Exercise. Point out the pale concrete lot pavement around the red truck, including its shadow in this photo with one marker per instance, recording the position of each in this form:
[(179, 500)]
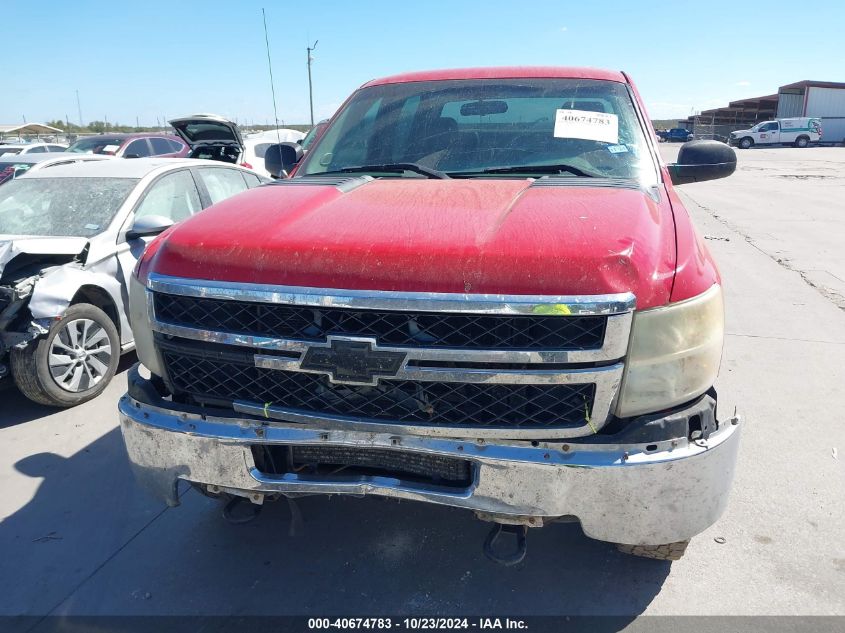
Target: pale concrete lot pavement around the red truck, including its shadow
[(78, 538)]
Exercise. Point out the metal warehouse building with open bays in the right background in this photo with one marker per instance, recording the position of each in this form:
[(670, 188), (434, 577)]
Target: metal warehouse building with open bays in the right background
[(824, 99)]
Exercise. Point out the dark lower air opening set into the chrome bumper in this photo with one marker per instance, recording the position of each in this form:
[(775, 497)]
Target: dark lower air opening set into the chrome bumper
[(337, 461)]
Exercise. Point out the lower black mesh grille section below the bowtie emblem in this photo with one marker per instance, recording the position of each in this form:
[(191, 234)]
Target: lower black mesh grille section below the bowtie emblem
[(219, 379)]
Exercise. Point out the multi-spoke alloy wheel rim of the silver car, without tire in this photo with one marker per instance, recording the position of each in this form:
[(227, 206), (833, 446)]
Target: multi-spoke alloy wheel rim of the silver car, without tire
[(80, 355)]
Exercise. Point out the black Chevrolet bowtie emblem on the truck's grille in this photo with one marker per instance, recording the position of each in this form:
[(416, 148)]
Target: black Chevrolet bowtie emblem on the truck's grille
[(352, 362)]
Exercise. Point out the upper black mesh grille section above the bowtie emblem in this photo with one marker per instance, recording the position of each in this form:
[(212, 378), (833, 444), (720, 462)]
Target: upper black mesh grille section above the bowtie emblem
[(389, 328)]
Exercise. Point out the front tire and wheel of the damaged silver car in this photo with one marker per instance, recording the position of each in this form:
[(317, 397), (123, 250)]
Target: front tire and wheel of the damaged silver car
[(84, 349)]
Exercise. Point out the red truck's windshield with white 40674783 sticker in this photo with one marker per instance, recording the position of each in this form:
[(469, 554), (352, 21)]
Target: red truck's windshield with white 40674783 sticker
[(464, 127)]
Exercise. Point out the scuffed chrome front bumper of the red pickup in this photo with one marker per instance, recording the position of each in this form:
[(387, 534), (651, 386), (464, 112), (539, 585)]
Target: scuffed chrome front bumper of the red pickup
[(647, 494)]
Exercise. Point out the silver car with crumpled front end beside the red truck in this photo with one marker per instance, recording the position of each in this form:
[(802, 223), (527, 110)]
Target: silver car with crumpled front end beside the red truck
[(69, 239)]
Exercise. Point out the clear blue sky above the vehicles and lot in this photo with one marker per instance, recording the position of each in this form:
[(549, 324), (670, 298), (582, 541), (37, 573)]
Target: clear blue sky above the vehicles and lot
[(156, 59)]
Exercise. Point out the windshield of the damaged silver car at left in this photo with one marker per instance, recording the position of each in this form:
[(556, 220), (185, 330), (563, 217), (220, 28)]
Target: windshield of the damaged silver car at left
[(67, 207)]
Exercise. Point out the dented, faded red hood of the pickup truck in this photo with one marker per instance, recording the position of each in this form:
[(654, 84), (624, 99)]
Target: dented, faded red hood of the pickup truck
[(561, 236)]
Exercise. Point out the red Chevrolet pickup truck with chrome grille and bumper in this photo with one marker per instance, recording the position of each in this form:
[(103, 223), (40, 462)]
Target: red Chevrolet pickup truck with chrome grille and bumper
[(478, 289)]
